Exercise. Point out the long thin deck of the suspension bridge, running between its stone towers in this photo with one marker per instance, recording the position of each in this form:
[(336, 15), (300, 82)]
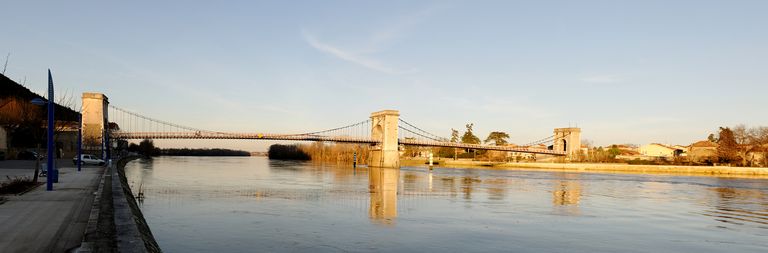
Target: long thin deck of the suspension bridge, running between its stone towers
[(304, 137)]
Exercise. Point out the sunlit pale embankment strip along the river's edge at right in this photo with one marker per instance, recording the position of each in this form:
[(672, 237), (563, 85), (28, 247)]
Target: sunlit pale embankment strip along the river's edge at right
[(719, 171)]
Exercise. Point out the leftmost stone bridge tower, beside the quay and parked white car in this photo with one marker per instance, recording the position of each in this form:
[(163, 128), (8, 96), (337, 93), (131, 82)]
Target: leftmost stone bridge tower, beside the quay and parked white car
[(95, 123)]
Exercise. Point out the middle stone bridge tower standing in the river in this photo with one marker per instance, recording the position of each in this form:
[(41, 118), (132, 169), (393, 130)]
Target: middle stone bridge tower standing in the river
[(384, 126)]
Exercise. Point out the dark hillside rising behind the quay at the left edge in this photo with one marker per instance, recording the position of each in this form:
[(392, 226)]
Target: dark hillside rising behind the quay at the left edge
[(11, 90)]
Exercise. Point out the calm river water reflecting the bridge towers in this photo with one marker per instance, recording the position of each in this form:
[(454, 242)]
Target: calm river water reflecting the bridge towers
[(247, 204)]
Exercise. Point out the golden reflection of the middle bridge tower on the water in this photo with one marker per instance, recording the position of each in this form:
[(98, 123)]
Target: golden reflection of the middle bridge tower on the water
[(383, 189)]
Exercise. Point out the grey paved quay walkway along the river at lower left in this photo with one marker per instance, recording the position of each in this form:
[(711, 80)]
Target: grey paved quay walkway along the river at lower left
[(41, 221)]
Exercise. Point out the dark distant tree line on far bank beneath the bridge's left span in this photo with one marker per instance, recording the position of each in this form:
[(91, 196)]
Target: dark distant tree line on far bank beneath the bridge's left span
[(147, 148)]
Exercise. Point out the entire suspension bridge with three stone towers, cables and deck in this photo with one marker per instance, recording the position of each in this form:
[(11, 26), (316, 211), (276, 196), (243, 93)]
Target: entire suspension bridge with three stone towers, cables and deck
[(385, 131)]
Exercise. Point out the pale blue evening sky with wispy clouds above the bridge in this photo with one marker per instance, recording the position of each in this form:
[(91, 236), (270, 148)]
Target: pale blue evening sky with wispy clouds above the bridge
[(624, 71)]
